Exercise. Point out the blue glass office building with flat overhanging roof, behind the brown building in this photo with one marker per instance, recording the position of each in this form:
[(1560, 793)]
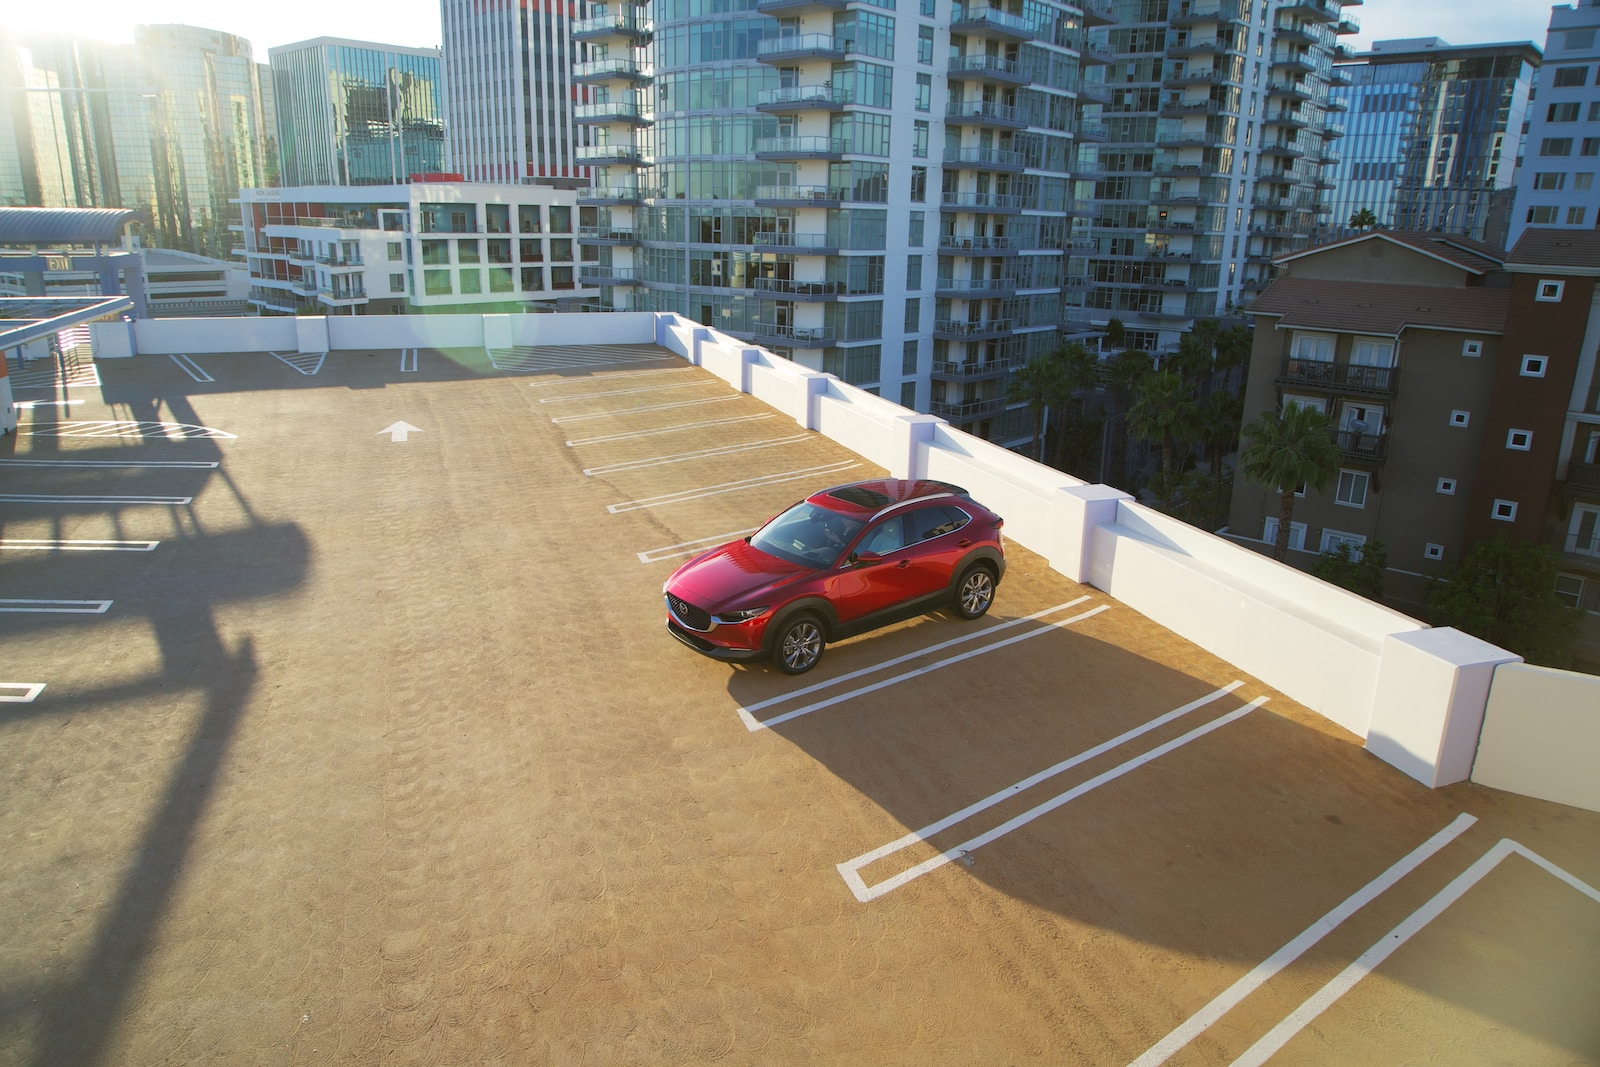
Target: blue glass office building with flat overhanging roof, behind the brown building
[(1433, 135)]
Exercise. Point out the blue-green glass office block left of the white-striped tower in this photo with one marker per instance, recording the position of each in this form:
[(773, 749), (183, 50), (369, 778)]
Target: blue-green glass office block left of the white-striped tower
[(358, 114)]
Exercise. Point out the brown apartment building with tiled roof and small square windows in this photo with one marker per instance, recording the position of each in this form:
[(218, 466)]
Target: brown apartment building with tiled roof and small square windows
[(1465, 398)]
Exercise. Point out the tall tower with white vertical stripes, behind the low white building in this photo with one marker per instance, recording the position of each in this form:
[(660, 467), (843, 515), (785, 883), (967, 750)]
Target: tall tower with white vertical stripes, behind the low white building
[(510, 92)]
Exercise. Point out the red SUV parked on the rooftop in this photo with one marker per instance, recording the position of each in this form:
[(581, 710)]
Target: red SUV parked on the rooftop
[(838, 564)]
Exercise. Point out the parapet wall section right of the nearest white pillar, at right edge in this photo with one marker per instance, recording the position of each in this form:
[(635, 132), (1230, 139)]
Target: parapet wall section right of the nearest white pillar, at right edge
[(1542, 735)]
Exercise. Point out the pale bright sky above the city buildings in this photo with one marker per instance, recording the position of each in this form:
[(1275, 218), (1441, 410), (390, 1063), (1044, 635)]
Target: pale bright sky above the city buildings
[(417, 22)]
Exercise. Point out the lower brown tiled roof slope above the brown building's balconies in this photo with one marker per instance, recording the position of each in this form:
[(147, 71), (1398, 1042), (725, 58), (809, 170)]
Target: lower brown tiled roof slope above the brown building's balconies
[(1382, 310)]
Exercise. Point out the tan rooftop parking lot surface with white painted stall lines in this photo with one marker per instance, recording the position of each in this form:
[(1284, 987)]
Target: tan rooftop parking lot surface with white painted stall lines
[(342, 725)]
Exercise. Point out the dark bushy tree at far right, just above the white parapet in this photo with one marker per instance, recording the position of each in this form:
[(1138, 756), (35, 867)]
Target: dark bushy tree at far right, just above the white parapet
[(1505, 593)]
